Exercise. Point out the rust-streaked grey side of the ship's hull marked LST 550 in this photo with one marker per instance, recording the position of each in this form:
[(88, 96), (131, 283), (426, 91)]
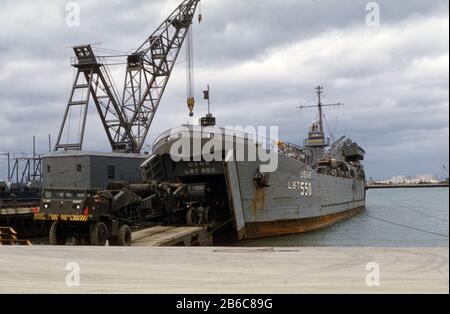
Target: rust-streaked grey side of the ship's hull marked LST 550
[(284, 207)]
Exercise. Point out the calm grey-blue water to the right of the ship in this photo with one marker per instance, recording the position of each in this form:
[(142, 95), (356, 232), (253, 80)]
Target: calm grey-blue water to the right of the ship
[(424, 209)]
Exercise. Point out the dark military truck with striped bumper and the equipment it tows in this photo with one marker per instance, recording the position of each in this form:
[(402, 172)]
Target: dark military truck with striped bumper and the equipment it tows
[(93, 217)]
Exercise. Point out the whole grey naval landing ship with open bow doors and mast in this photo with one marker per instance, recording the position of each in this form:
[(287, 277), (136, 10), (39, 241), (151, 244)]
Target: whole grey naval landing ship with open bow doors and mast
[(313, 185)]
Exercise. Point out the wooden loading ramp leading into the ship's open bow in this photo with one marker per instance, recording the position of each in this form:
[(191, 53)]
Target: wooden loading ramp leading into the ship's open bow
[(172, 236)]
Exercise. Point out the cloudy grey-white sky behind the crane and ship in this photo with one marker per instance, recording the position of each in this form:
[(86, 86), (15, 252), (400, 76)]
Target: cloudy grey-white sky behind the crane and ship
[(262, 59)]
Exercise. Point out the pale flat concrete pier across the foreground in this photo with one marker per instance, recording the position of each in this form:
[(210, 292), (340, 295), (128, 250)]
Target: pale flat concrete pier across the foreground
[(42, 269)]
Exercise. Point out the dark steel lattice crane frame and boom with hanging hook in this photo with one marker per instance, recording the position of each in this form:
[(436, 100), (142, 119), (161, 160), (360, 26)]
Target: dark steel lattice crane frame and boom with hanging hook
[(127, 120)]
